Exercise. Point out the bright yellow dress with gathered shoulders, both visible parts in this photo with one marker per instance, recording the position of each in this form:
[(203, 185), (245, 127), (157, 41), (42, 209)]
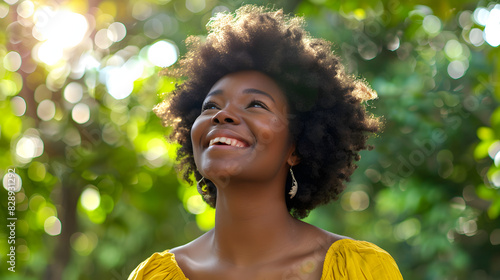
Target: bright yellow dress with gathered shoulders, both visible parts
[(345, 259)]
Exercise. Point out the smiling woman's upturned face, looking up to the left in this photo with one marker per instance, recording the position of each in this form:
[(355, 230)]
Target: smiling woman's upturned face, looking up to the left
[(242, 131)]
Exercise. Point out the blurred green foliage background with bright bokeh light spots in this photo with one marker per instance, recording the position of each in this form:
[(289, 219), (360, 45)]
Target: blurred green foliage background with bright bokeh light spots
[(97, 188)]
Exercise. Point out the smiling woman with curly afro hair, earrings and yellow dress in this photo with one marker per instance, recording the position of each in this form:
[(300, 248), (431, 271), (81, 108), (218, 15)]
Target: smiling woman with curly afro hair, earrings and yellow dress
[(270, 125)]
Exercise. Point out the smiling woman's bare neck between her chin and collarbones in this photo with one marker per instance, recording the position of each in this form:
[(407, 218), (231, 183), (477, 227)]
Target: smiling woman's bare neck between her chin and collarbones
[(251, 226)]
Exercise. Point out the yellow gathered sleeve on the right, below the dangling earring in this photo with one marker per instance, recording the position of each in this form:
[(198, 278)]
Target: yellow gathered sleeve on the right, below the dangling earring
[(351, 259)]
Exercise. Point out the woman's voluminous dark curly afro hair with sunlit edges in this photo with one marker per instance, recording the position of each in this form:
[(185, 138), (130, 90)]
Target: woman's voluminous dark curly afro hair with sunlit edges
[(328, 121)]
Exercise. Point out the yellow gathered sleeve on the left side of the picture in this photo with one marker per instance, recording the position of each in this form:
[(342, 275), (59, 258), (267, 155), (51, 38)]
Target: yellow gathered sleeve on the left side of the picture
[(160, 266)]
